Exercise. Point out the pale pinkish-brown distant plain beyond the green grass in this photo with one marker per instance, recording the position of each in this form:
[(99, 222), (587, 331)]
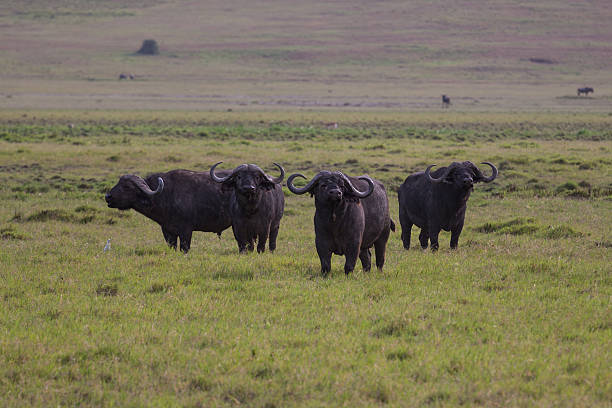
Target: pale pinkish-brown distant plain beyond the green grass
[(347, 54)]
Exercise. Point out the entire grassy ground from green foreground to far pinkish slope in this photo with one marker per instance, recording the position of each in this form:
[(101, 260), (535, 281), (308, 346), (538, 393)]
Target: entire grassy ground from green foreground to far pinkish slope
[(520, 315)]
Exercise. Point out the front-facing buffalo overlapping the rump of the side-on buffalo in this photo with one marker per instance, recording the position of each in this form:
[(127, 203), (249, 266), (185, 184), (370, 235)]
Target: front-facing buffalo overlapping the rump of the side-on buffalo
[(256, 205)]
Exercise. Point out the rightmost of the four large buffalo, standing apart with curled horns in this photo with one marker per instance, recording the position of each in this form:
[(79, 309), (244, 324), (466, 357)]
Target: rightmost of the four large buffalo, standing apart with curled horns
[(438, 201)]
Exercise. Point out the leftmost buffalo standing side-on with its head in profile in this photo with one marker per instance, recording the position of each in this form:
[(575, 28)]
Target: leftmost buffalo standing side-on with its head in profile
[(180, 201)]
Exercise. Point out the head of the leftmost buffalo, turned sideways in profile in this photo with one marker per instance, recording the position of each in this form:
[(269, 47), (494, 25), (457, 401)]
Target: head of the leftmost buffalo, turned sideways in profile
[(132, 192)]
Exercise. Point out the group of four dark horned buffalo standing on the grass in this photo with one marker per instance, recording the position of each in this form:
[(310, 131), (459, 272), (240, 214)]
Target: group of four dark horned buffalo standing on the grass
[(351, 213)]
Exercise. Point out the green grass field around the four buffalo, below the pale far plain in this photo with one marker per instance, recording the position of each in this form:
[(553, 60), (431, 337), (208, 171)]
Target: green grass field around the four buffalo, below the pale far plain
[(518, 316)]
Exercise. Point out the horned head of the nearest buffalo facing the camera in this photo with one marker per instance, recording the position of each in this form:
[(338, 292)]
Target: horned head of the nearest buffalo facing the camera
[(331, 187)]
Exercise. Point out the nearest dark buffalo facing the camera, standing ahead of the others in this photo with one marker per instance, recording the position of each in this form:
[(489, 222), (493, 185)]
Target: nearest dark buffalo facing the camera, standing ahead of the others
[(351, 216)]
